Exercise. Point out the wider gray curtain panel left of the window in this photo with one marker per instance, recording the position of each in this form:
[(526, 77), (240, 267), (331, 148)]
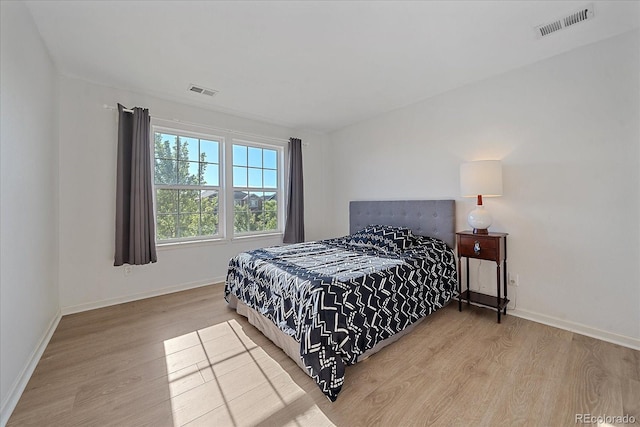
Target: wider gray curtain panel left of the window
[(135, 223)]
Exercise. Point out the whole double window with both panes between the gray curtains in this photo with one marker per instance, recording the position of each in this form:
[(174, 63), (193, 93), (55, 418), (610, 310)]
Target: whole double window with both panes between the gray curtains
[(206, 189)]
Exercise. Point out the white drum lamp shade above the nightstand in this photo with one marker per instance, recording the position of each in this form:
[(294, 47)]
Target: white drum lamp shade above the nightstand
[(483, 177)]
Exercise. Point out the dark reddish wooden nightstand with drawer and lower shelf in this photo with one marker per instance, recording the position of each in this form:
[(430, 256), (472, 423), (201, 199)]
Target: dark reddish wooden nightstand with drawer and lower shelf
[(491, 247)]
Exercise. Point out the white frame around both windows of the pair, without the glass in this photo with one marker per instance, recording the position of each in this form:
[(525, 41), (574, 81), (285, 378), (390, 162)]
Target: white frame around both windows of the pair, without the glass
[(225, 189)]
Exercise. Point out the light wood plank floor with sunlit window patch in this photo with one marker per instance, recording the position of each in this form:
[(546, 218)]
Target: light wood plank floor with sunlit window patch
[(185, 359)]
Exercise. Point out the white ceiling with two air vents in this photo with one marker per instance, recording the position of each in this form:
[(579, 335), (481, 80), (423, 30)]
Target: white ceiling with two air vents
[(309, 65)]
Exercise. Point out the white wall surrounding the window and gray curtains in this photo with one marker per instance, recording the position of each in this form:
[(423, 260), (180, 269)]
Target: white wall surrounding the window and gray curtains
[(88, 146)]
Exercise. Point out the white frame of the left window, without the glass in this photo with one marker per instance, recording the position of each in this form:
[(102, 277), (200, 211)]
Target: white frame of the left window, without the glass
[(181, 131)]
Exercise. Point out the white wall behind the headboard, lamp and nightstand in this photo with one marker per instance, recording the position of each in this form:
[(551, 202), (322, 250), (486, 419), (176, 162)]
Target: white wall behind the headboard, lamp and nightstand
[(567, 130)]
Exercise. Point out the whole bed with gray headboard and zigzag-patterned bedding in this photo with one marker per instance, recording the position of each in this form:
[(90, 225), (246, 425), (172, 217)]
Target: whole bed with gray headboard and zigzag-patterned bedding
[(334, 302)]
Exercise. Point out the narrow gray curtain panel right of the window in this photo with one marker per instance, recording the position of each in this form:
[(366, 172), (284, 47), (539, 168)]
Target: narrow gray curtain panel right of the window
[(294, 228)]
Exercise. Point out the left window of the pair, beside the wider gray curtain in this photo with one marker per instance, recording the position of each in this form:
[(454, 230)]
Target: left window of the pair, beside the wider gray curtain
[(187, 185)]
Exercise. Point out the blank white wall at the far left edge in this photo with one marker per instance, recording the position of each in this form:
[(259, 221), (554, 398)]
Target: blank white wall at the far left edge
[(29, 307)]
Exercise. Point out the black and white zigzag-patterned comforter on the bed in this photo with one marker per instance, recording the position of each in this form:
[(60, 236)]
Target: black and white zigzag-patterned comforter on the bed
[(339, 297)]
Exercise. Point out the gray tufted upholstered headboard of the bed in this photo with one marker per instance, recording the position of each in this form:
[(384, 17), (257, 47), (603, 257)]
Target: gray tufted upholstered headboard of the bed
[(433, 218)]
